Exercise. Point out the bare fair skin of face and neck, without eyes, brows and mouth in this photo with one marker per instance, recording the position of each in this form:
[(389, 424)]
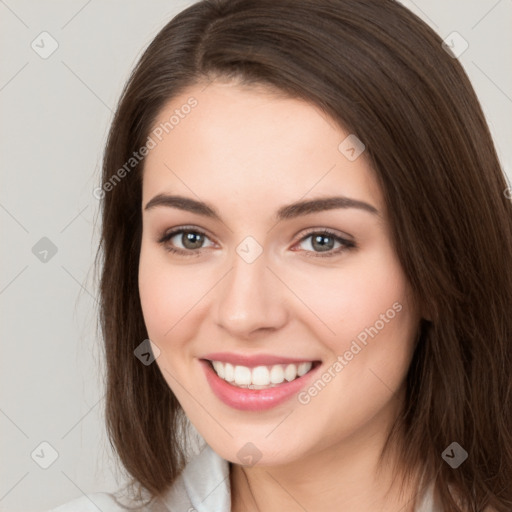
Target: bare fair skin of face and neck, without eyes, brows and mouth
[(247, 152)]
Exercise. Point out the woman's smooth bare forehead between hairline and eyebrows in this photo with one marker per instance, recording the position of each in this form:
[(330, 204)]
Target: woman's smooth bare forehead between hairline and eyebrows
[(251, 143)]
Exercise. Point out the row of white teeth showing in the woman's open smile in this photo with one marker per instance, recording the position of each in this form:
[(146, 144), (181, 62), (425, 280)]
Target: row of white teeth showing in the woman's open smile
[(261, 377)]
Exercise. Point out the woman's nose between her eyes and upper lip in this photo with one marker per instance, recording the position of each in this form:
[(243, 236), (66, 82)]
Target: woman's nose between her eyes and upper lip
[(250, 299)]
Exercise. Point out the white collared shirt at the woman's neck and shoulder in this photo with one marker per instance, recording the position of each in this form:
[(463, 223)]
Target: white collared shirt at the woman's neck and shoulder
[(203, 486)]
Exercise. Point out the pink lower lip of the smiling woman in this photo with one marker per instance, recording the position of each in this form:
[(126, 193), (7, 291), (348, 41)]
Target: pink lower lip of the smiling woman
[(253, 399)]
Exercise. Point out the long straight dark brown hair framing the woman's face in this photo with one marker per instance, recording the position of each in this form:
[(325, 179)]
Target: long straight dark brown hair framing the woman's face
[(381, 73)]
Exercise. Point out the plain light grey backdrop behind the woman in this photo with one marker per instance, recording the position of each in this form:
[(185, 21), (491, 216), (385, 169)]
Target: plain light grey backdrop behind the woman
[(55, 114)]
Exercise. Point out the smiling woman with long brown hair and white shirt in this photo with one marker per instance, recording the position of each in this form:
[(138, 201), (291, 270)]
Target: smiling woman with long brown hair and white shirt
[(304, 211)]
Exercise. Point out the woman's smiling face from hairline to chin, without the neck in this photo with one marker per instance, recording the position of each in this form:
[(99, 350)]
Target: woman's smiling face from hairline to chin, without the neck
[(258, 287)]
